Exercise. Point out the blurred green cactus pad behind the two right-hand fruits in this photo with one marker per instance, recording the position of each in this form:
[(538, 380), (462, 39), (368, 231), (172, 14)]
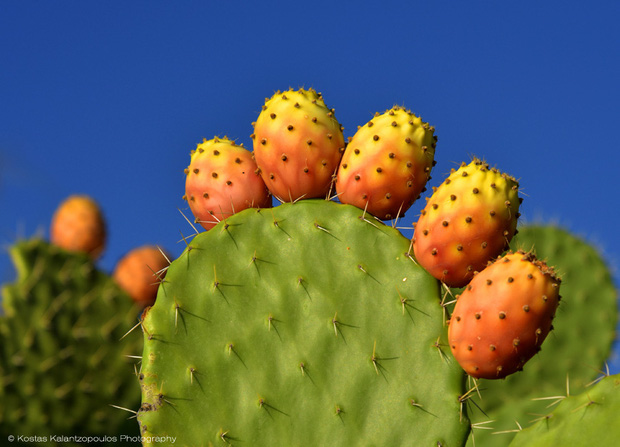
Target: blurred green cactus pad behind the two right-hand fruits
[(575, 351)]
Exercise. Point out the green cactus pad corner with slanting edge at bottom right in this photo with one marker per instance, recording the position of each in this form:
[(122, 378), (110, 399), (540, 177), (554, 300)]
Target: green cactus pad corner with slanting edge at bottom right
[(587, 419)]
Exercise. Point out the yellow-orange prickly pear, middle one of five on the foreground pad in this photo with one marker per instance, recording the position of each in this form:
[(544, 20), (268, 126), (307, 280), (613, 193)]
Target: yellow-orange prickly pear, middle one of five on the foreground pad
[(387, 163)]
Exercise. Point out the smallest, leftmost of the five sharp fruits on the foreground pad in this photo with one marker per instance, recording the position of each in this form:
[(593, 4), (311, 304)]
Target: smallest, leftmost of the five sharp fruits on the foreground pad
[(222, 180)]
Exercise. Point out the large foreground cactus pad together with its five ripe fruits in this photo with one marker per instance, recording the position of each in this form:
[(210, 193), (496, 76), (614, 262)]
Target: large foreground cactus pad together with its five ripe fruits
[(278, 321)]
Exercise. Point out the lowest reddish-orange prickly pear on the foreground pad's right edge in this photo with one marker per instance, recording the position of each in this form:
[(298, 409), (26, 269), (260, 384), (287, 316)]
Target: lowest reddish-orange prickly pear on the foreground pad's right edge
[(504, 315)]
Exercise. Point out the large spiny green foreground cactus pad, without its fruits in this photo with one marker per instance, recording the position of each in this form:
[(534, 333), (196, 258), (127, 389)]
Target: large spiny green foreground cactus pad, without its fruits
[(306, 324)]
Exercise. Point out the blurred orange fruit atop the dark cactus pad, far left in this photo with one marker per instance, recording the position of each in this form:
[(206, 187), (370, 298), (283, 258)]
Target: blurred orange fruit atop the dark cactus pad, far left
[(78, 225)]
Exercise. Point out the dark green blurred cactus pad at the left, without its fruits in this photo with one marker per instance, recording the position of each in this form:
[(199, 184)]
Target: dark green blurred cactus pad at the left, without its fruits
[(62, 365)]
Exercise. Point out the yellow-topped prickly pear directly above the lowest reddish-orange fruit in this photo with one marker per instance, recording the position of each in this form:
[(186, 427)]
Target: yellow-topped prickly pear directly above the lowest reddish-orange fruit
[(469, 220)]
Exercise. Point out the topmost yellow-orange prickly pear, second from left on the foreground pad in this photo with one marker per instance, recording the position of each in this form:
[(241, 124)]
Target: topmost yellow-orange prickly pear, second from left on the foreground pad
[(298, 144)]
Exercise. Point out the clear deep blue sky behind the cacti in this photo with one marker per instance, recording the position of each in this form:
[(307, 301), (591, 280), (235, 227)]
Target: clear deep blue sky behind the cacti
[(108, 98)]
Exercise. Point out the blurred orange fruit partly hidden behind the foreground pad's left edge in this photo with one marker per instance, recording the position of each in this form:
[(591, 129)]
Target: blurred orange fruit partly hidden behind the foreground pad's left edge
[(139, 273)]
